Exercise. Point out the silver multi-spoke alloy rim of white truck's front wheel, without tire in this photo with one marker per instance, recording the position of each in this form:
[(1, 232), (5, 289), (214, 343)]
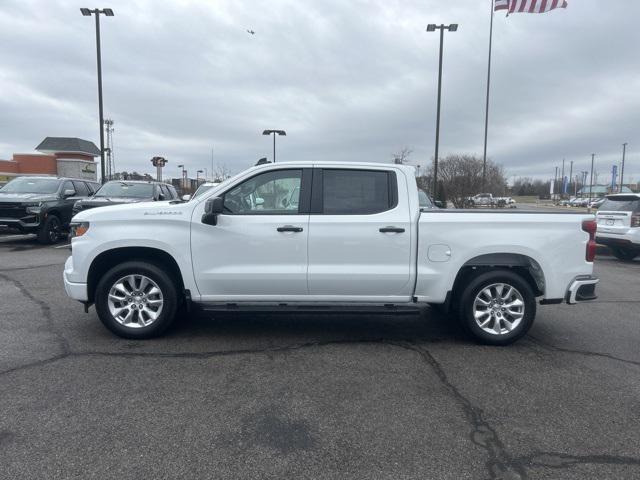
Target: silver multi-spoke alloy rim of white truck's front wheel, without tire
[(135, 301)]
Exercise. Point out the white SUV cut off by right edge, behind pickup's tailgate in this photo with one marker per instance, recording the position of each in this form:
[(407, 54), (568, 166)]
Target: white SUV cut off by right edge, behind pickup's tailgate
[(619, 225)]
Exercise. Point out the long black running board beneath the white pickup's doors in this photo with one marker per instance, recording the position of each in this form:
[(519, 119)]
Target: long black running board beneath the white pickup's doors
[(303, 307)]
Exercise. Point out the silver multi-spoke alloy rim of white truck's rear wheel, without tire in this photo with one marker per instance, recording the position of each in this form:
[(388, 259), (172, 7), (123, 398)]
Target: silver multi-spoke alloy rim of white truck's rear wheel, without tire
[(498, 308)]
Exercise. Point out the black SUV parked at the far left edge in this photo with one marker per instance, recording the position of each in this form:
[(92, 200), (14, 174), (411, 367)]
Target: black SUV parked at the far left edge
[(42, 205)]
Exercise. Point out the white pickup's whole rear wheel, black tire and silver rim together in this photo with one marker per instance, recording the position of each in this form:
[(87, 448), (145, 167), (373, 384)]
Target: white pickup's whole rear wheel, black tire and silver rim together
[(497, 307)]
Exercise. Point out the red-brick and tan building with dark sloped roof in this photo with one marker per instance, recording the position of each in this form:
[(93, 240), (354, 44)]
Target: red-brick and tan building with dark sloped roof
[(57, 156)]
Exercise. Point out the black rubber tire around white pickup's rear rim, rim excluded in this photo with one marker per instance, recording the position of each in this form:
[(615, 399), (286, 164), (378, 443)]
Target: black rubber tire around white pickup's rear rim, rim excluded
[(479, 283)]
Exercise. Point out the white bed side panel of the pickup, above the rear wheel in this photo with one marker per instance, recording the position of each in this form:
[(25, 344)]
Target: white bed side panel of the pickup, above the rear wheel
[(555, 241)]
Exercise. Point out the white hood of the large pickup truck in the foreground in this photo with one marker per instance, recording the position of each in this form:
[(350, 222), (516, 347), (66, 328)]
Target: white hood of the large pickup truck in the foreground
[(136, 211)]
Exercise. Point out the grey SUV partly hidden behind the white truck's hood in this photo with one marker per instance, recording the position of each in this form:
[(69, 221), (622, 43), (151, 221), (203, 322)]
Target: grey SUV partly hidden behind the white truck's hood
[(127, 191)]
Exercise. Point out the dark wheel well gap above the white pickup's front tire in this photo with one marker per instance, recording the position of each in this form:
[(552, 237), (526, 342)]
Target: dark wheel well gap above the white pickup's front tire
[(108, 259)]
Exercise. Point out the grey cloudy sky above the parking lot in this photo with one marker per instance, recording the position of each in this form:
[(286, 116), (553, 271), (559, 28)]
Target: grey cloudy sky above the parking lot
[(347, 79)]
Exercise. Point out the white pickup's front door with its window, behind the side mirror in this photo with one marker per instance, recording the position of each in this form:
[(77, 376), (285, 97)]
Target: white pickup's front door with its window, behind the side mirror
[(258, 249)]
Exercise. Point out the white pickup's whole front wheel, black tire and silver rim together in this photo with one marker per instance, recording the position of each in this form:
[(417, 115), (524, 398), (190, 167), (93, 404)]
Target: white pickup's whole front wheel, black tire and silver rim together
[(136, 300)]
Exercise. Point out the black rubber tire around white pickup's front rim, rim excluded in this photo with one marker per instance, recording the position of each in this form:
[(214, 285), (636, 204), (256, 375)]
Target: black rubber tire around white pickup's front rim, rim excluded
[(163, 281)]
